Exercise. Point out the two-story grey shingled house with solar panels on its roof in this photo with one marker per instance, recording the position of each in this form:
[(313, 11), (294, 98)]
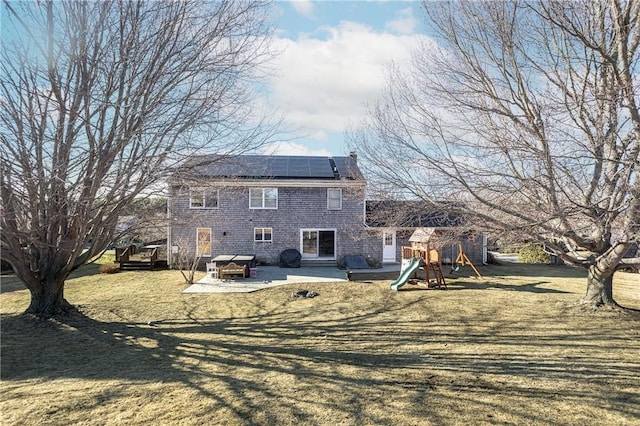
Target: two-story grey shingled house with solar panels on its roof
[(262, 205)]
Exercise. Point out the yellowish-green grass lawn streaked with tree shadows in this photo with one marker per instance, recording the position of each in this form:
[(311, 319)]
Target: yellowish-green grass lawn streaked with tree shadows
[(514, 348)]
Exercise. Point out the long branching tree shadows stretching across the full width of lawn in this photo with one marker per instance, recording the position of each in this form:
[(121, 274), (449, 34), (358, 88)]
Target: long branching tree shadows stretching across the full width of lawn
[(340, 366)]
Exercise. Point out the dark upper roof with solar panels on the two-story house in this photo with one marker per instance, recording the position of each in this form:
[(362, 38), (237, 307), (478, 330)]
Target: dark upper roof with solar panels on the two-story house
[(274, 167)]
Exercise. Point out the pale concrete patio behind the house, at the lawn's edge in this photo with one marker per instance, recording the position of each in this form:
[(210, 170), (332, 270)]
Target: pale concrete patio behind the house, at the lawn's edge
[(271, 276)]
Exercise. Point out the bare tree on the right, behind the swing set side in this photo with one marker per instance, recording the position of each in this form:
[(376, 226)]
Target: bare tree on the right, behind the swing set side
[(524, 117)]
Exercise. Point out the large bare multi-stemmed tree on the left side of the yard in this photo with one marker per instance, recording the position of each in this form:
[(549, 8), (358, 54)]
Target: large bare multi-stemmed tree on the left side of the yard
[(97, 101)]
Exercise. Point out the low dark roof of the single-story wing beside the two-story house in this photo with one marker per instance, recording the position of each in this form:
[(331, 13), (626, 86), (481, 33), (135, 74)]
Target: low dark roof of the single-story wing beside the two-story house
[(406, 214)]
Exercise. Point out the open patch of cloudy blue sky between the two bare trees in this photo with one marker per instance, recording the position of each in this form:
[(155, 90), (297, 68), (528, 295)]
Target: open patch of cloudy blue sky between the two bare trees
[(332, 64)]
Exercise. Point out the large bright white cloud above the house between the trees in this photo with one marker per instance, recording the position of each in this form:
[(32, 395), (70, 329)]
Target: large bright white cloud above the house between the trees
[(323, 84)]
